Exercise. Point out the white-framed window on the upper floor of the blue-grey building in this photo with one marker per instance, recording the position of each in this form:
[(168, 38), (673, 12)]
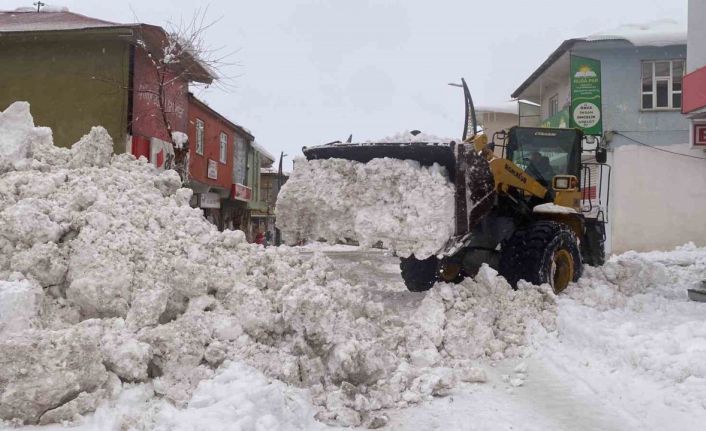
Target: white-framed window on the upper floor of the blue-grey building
[(661, 84)]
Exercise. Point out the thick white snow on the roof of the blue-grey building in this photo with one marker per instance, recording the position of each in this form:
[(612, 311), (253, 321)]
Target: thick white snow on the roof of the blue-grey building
[(663, 32)]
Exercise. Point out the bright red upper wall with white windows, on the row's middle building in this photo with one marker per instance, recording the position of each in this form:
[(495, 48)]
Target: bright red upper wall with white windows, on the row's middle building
[(198, 164)]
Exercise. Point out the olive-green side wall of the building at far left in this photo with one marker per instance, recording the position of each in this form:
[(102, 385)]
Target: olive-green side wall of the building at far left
[(73, 82)]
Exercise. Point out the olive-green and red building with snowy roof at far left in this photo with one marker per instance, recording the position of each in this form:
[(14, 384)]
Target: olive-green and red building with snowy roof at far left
[(77, 72)]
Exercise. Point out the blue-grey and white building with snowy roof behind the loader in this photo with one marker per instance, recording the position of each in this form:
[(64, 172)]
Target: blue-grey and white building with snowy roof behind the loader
[(641, 69)]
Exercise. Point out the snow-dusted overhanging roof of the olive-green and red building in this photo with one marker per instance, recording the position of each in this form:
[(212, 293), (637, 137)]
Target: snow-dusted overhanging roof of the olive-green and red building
[(154, 37)]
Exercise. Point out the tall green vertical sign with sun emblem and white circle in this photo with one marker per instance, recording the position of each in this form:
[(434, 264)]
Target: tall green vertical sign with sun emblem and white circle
[(586, 95)]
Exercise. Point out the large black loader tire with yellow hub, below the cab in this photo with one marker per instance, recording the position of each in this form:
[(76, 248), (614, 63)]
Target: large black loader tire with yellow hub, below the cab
[(543, 252)]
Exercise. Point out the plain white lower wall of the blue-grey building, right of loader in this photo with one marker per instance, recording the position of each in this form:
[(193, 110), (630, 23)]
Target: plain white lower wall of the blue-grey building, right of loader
[(658, 198)]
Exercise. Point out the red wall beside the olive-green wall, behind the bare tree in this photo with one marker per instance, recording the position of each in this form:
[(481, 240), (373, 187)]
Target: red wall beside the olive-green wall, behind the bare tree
[(147, 119)]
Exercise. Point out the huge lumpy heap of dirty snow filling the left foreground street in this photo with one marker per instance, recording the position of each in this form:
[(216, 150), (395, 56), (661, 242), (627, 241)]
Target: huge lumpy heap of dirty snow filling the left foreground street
[(108, 277)]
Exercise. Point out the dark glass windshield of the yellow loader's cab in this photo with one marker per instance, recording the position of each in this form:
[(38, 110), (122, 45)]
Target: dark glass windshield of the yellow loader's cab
[(544, 153)]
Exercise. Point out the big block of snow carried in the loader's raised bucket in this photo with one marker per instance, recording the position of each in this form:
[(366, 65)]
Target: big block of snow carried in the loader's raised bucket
[(406, 206)]
